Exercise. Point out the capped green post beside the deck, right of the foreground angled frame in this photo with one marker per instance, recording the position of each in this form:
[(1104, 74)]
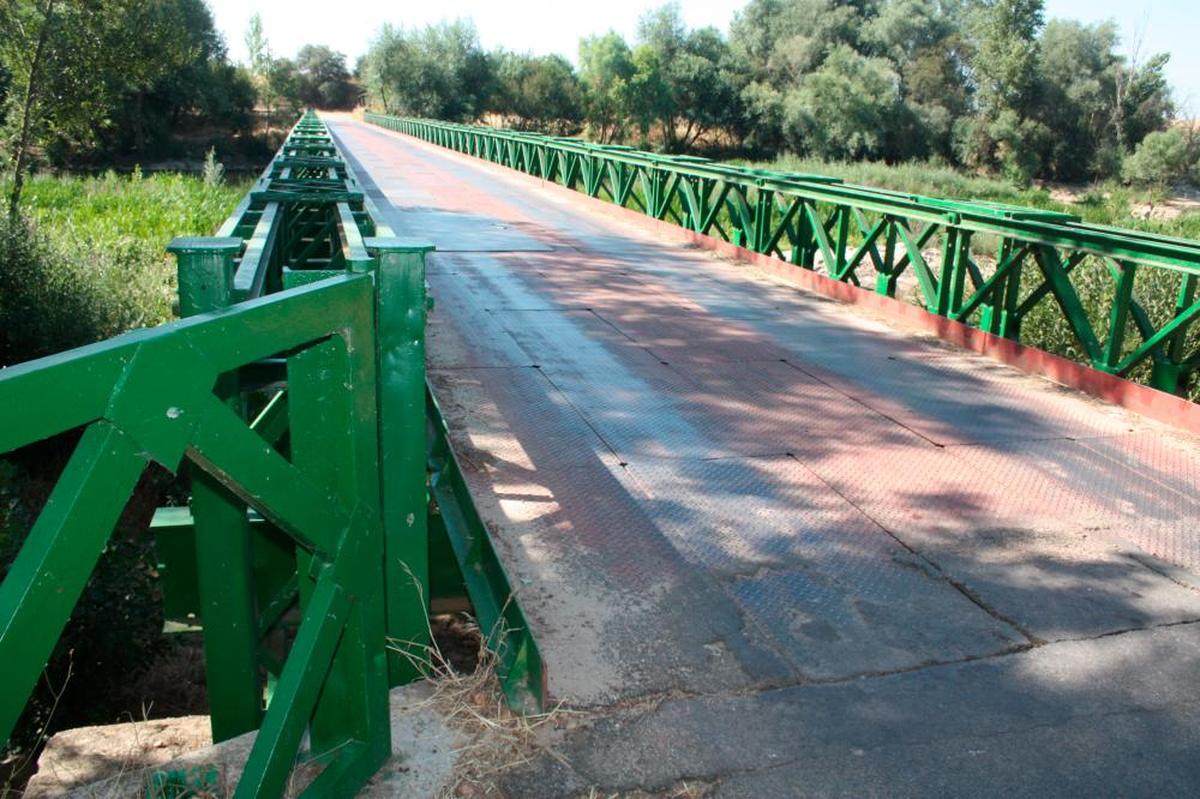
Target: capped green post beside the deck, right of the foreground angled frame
[(400, 345)]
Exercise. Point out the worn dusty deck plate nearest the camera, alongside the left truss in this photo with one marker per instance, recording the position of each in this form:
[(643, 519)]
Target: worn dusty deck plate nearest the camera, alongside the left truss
[(616, 610)]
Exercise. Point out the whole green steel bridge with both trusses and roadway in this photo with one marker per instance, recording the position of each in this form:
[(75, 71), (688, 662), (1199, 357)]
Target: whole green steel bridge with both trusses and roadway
[(761, 476)]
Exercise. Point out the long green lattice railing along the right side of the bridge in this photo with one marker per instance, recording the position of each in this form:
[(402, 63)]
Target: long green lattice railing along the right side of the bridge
[(1126, 302)]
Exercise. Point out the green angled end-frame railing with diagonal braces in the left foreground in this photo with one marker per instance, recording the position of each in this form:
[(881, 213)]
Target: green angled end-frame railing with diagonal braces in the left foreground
[(157, 397)]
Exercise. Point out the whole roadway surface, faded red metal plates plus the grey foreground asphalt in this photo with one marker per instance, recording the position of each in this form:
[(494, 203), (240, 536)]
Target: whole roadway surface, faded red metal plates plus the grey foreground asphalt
[(779, 548)]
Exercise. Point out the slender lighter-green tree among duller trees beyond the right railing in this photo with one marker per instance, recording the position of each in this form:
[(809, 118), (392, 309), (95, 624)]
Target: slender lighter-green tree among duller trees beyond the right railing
[(607, 73)]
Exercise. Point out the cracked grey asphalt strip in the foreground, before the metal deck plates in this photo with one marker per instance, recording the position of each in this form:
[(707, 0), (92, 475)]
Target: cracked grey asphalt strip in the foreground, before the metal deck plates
[(1057, 719)]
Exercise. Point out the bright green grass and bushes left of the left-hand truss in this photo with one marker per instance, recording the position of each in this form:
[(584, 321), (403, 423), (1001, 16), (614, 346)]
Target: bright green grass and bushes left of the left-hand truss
[(87, 259)]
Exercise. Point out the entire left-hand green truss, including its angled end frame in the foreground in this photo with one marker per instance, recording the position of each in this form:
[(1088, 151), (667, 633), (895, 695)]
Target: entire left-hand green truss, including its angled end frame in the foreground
[(295, 392)]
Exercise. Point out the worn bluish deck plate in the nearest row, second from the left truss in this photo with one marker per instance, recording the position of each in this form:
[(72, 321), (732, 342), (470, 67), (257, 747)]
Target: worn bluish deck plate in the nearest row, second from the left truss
[(836, 593)]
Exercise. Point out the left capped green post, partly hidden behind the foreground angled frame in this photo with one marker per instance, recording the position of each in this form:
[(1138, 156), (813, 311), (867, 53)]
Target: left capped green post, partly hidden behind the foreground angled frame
[(224, 554)]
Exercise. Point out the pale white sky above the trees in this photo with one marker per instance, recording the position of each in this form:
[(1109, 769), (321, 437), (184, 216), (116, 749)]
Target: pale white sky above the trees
[(542, 28)]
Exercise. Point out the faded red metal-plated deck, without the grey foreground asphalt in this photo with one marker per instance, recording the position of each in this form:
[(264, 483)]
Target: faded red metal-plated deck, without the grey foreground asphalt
[(705, 482)]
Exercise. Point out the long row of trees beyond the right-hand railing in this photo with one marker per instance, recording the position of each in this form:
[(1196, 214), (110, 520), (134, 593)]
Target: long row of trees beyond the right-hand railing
[(985, 85)]
